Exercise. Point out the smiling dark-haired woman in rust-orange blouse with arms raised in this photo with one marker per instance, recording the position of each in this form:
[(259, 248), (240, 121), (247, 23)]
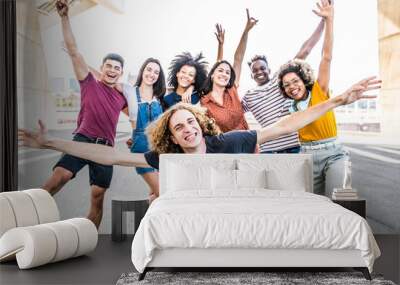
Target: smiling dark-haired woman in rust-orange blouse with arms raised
[(220, 95)]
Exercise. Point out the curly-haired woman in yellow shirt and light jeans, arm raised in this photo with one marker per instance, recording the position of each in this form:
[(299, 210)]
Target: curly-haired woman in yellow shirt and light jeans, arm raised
[(296, 81)]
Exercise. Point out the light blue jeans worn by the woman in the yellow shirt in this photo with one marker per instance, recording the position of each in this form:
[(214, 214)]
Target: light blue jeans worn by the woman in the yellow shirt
[(328, 164)]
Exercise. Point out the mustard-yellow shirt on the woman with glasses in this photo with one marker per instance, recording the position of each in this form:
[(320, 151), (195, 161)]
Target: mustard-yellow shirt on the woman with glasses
[(325, 126)]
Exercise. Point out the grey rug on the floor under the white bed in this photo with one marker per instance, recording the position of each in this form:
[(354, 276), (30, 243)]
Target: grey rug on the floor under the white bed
[(242, 278)]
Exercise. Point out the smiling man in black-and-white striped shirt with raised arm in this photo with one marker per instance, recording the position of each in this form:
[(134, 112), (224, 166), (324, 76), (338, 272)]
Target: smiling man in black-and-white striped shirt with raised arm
[(267, 104)]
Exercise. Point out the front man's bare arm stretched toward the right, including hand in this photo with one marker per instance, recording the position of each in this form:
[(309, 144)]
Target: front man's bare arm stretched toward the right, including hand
[(296, 121)]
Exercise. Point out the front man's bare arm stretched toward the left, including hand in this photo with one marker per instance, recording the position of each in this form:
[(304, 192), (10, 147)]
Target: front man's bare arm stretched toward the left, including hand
[(98, 153)]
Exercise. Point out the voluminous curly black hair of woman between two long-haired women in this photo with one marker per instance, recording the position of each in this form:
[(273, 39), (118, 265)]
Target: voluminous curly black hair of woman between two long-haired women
[(186, 58)]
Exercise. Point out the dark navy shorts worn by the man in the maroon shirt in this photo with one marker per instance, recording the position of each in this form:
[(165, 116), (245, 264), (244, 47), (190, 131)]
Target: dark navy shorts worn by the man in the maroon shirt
[(99, 174)]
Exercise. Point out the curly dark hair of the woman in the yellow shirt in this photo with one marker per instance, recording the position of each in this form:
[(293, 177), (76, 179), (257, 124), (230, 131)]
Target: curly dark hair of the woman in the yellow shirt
[(301, 68)]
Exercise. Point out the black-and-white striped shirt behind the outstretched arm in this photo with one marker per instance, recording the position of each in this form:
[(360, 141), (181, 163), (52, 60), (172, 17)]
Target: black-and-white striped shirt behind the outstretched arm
[(268, 106)]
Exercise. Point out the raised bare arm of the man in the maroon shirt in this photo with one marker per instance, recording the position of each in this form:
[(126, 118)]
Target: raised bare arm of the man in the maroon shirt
[(80, 67)]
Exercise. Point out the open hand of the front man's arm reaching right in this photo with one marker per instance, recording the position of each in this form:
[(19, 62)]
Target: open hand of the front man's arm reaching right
[(356, 91)]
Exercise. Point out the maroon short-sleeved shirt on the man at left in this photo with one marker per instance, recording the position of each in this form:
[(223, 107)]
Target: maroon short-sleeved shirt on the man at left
[(100, 108)]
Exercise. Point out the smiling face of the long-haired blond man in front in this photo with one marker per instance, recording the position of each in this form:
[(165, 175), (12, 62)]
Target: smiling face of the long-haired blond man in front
[(185, 130)]
